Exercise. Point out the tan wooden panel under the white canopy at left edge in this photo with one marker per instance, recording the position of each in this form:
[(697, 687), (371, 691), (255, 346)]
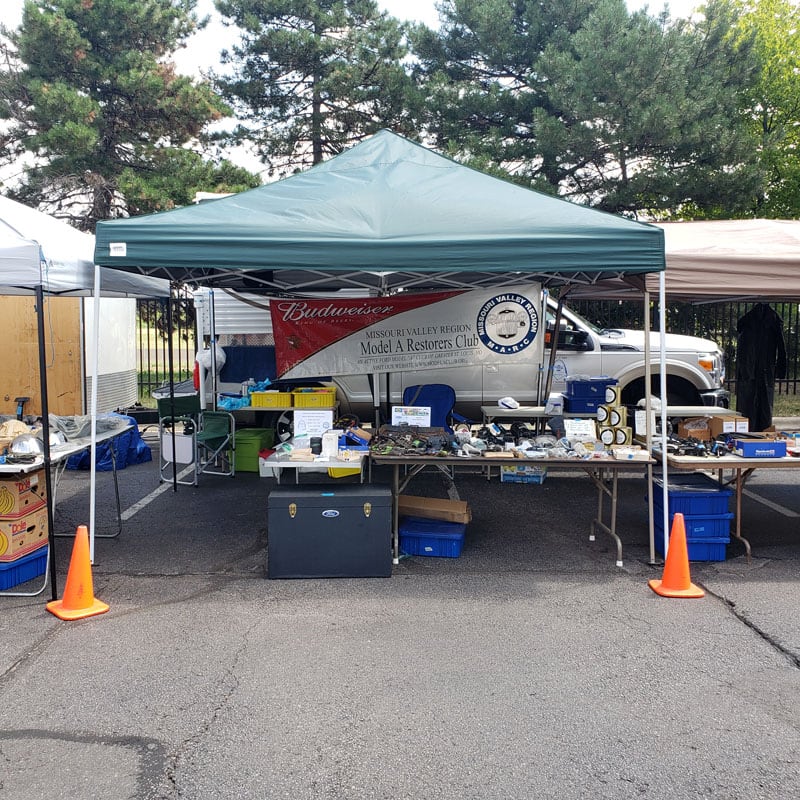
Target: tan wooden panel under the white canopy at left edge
[(19, 365)]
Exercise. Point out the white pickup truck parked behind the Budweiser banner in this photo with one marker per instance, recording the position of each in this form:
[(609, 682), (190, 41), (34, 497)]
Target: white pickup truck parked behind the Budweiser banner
[(695, 367)]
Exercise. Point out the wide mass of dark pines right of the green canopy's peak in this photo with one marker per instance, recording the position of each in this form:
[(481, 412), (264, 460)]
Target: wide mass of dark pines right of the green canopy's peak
[(625, 112)]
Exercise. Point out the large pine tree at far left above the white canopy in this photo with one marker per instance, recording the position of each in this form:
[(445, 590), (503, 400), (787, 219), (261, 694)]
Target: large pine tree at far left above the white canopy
[(91, 96)]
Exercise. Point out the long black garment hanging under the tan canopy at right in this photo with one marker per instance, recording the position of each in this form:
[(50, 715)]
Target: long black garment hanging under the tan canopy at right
[(760, 359)]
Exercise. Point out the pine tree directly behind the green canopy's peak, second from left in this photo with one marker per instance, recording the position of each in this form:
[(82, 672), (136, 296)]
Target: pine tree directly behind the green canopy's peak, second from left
[(308, 79)]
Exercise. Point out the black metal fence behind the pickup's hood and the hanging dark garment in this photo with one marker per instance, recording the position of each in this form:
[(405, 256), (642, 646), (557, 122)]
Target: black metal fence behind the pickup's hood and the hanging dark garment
[(716, 321)]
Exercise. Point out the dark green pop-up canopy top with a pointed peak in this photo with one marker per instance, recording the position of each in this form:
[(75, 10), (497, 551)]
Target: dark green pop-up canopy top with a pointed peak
[(383, 216)]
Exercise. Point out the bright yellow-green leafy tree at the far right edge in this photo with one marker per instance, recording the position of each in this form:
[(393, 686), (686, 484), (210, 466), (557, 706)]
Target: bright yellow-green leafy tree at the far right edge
[(773, 102)]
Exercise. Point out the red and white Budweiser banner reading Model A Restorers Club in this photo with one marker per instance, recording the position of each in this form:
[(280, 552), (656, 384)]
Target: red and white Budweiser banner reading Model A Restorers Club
[(406, 332)]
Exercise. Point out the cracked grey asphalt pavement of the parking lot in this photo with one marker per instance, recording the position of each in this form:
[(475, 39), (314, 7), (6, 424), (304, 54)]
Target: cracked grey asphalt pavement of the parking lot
[(531, 666)]
